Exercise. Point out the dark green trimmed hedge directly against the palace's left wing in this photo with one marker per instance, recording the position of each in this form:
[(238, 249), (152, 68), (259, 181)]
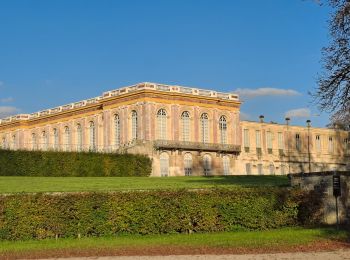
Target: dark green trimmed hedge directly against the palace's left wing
[(50, 163)]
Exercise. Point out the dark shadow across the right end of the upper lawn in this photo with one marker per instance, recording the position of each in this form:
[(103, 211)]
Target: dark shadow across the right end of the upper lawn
[(243, 180)]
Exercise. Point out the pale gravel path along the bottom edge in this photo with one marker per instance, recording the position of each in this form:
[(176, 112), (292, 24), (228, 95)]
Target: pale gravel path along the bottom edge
[(333, 255)]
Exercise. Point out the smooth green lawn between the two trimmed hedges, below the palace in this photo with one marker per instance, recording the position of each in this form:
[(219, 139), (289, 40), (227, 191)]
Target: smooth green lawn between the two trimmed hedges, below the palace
[(11, 184)]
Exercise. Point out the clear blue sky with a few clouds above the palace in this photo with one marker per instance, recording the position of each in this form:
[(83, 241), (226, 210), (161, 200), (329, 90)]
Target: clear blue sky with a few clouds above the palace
[(268, 51)]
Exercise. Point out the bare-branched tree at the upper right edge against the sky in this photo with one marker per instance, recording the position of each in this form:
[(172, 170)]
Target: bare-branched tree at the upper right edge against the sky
[(333, 91)]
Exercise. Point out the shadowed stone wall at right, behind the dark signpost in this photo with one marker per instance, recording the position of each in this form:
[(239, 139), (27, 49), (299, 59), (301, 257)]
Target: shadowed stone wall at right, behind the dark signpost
[(323, 184)]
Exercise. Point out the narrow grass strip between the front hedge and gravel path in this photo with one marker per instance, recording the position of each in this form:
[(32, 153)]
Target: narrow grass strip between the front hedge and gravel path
[(264, 239)]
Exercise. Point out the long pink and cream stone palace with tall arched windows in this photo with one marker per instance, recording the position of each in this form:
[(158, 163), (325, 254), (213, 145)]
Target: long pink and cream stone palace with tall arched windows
[(185, 131)]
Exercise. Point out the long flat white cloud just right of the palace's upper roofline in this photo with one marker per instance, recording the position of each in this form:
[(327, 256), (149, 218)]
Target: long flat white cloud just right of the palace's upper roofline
[(260, 92)]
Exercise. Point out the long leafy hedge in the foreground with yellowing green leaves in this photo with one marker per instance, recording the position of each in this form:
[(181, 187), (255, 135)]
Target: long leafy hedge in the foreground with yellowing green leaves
[(41, 216)]
